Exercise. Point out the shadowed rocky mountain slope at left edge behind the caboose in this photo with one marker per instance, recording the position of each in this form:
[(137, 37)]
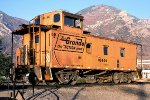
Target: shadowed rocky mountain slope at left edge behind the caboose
[(7, 25)]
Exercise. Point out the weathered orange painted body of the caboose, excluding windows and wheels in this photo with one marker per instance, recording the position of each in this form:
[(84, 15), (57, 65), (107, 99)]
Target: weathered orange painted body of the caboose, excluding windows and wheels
[(66, 48)]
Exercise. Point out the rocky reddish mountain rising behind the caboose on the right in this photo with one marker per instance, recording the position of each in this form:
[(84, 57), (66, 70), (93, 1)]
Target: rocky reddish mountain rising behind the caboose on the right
[(107, 21)]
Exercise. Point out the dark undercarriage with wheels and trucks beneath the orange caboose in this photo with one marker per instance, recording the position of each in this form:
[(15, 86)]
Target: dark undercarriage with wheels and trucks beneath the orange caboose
[(71, 76)]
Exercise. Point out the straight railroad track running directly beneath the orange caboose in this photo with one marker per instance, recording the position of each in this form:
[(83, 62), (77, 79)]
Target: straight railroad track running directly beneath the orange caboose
[(44, 86)]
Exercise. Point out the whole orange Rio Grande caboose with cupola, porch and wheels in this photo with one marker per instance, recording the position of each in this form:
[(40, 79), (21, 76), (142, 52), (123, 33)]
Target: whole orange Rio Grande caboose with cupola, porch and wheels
[(56, 49)]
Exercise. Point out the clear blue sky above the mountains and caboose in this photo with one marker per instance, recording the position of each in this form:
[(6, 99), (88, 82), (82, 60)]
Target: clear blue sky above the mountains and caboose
[(27, 9)]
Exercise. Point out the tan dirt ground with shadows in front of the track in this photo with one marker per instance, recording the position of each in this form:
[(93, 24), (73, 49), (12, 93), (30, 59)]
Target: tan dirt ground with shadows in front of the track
[(99, 92)]
